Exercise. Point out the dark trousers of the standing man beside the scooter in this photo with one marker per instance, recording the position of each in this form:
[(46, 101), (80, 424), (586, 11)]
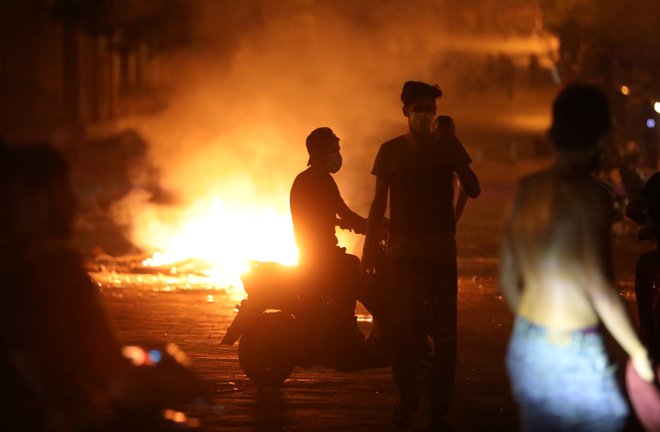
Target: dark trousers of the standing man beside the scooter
[(421, 303)]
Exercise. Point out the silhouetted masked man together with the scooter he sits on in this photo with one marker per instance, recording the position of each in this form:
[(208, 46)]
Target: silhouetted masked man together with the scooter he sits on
[(304, 316)]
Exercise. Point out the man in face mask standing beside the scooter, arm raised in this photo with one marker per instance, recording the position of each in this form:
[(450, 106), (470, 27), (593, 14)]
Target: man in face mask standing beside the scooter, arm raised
[(416, 171)]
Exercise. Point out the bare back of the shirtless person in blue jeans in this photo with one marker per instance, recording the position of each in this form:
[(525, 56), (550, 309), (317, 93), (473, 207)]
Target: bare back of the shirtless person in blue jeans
[(548, 225)]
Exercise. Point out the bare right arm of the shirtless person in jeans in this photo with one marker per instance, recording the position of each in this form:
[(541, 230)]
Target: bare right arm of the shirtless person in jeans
[(603, 294)]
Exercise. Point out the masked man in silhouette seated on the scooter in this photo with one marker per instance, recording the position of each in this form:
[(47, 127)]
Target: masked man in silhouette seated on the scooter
[(316, 209)]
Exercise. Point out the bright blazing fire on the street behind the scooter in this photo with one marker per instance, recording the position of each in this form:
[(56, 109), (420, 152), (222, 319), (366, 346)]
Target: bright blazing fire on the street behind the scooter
[(222, 235)]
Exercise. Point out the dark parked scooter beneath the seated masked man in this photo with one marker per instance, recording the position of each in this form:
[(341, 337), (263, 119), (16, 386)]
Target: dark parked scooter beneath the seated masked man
[(281, 325)]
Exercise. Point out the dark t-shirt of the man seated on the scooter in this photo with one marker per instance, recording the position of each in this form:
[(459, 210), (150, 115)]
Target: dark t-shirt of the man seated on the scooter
[(315, 201)]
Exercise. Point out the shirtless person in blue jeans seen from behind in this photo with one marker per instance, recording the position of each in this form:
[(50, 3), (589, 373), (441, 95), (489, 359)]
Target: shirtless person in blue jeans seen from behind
[(555, 277)]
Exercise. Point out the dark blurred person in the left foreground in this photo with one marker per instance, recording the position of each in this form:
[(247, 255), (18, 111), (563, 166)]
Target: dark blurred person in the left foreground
[(61, 357)]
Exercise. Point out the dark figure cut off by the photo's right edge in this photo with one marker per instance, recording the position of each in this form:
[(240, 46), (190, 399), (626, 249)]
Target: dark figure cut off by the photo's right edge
[(647, 272)]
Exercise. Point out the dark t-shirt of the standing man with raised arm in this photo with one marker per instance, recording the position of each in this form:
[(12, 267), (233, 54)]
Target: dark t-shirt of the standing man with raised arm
[(421, 184)]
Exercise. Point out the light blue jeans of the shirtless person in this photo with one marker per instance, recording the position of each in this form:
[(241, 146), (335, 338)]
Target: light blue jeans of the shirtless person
[(564, 383)]
